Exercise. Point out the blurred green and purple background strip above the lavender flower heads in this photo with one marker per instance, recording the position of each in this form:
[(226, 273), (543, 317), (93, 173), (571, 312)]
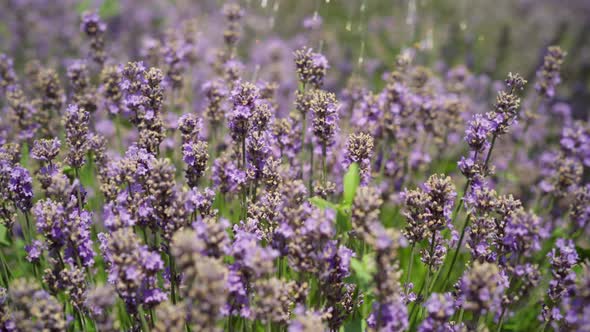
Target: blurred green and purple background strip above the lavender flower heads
[(360, 37)]
